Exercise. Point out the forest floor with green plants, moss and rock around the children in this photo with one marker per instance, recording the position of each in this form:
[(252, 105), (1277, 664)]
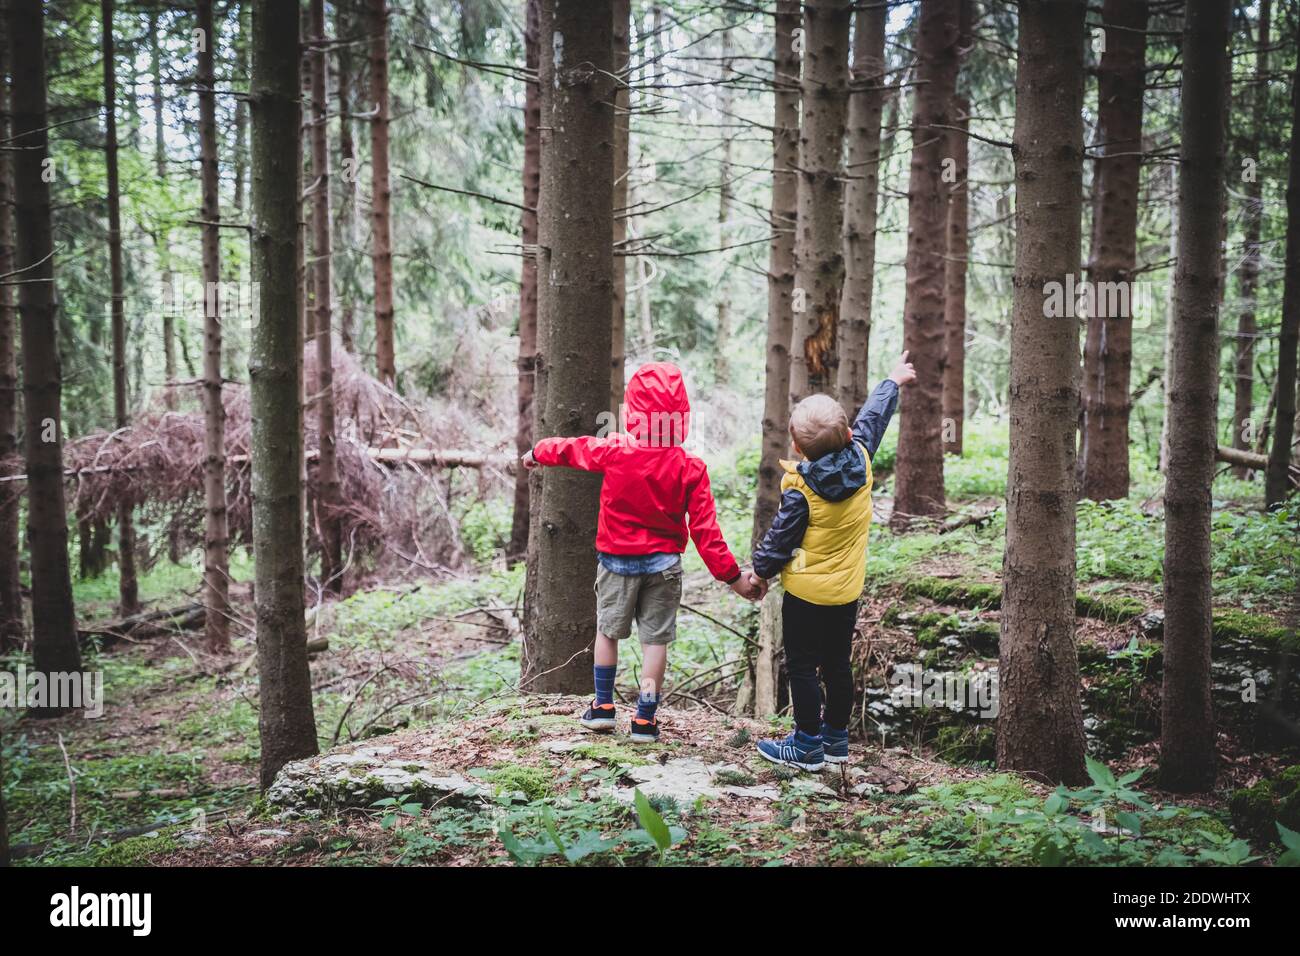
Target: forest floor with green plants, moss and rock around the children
[(431, 756)]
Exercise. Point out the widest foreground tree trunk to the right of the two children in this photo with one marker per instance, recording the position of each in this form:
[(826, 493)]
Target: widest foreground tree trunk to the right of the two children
[(1041, 723)]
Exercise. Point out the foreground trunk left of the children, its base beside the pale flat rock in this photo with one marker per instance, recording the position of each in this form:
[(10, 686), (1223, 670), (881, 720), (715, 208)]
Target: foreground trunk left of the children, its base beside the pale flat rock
[(287, 724)]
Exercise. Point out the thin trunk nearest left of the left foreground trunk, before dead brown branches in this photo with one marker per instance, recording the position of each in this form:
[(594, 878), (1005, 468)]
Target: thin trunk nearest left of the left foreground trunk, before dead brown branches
[(216, 578)]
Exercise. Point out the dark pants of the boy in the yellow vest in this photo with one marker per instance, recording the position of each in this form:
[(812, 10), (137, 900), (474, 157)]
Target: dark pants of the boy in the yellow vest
[(818, 638)]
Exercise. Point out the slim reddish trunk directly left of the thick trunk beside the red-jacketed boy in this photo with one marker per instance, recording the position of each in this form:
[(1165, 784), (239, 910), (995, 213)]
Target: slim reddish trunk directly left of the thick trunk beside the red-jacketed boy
[(527, 362)]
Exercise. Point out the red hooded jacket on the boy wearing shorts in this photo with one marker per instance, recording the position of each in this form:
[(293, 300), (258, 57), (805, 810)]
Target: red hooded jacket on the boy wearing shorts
[(652, 486)]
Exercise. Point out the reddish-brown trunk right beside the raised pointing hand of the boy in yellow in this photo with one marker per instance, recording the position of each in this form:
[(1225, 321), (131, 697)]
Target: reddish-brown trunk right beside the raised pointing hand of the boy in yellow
[(920, 490)]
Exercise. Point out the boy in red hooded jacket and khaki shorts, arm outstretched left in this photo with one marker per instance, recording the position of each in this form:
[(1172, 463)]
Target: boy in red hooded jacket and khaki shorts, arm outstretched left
[(655, 495)]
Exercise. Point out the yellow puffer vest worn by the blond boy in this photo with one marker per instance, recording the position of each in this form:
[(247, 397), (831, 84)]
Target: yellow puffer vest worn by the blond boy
[(831, 565)]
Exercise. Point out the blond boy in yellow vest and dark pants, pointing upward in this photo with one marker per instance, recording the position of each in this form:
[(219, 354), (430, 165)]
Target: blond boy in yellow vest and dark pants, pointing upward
[(818, 544)]
